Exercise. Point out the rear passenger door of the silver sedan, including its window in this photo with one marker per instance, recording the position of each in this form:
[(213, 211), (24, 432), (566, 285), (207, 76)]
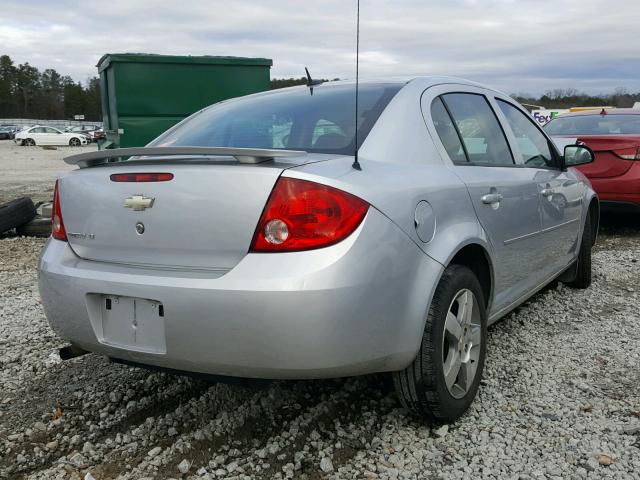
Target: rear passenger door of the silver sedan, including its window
[(504, 195)]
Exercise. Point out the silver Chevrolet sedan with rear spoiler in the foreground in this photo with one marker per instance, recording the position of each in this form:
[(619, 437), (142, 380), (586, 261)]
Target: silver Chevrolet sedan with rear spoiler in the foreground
[(249, 240)]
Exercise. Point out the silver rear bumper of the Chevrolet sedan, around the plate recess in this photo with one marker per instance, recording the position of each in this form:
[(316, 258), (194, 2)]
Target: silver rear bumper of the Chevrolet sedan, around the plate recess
[(353, 308)]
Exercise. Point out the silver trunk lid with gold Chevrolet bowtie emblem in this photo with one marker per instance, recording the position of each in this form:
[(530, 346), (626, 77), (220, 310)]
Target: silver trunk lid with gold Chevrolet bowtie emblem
[(203, 218)]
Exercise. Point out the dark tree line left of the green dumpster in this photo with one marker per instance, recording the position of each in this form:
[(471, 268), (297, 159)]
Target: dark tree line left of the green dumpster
[(26, 92)]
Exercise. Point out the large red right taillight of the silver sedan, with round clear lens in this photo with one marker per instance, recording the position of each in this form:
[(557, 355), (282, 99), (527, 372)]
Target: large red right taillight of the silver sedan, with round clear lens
[(303, 215)]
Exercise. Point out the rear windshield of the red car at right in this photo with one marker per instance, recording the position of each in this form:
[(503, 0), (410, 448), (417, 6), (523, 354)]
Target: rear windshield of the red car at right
[(611, 124)]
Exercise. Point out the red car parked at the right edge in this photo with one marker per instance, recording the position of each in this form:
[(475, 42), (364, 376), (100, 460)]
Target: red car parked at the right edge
[(614, 136)]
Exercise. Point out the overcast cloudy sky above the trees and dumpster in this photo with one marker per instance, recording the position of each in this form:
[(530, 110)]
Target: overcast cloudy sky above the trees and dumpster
[(514, 45)]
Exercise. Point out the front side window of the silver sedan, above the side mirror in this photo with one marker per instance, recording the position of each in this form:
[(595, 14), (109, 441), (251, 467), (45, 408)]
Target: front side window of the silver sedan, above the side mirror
[(532, 143)]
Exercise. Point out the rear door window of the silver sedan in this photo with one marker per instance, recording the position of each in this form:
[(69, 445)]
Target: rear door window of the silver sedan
[(479, 128)]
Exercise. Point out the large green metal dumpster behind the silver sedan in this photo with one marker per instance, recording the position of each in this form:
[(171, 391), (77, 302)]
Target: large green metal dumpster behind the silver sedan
[(143, 94)]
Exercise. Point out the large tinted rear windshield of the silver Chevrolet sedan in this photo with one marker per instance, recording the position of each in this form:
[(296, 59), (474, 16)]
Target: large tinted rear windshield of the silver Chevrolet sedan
[(288, 119)]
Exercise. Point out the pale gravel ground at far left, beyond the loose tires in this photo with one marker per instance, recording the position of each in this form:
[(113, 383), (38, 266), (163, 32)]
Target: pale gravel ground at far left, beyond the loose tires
[(32, 171)]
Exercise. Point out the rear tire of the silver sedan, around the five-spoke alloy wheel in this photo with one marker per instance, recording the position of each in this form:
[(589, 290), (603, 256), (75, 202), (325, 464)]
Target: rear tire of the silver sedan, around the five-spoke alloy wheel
[(422, 387)]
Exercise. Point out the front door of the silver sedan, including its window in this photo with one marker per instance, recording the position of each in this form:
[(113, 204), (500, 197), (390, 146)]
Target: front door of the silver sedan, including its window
[(561, 192)]
